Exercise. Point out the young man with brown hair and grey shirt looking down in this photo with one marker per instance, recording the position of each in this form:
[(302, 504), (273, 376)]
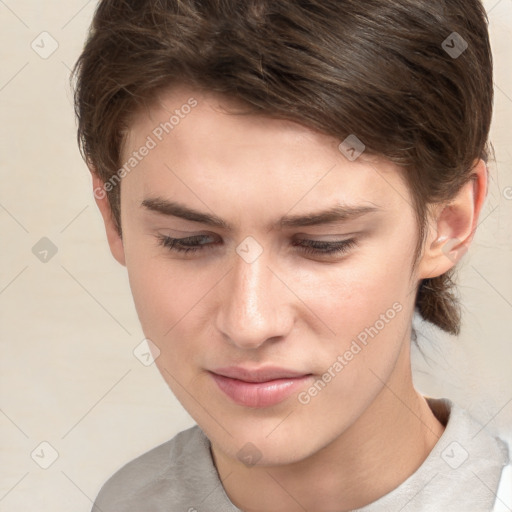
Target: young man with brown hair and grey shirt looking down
[(286, 184)]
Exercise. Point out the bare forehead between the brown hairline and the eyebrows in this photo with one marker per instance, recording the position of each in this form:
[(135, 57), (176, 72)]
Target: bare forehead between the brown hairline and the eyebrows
[(202, 147)]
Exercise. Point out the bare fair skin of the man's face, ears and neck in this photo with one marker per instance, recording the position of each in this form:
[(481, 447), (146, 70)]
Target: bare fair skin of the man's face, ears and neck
[(368, 429)]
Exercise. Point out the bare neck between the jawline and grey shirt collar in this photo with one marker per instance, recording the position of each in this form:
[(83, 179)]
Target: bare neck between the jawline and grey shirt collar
[(378, 452)]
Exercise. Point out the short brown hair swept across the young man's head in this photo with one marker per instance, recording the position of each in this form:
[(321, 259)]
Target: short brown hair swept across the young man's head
[(412, 79)]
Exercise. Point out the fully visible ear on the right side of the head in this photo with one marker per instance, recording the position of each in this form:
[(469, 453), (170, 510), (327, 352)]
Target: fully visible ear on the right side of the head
[(453, 225)]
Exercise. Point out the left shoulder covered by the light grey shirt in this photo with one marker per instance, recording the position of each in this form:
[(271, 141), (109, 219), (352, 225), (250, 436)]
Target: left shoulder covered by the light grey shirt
[(158, 477)]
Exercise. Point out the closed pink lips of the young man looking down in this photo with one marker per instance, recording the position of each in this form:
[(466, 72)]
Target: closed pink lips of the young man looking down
[(262, 387)]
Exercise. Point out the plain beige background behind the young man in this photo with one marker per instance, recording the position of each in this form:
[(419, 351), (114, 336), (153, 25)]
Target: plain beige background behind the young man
[(68, 327)]
